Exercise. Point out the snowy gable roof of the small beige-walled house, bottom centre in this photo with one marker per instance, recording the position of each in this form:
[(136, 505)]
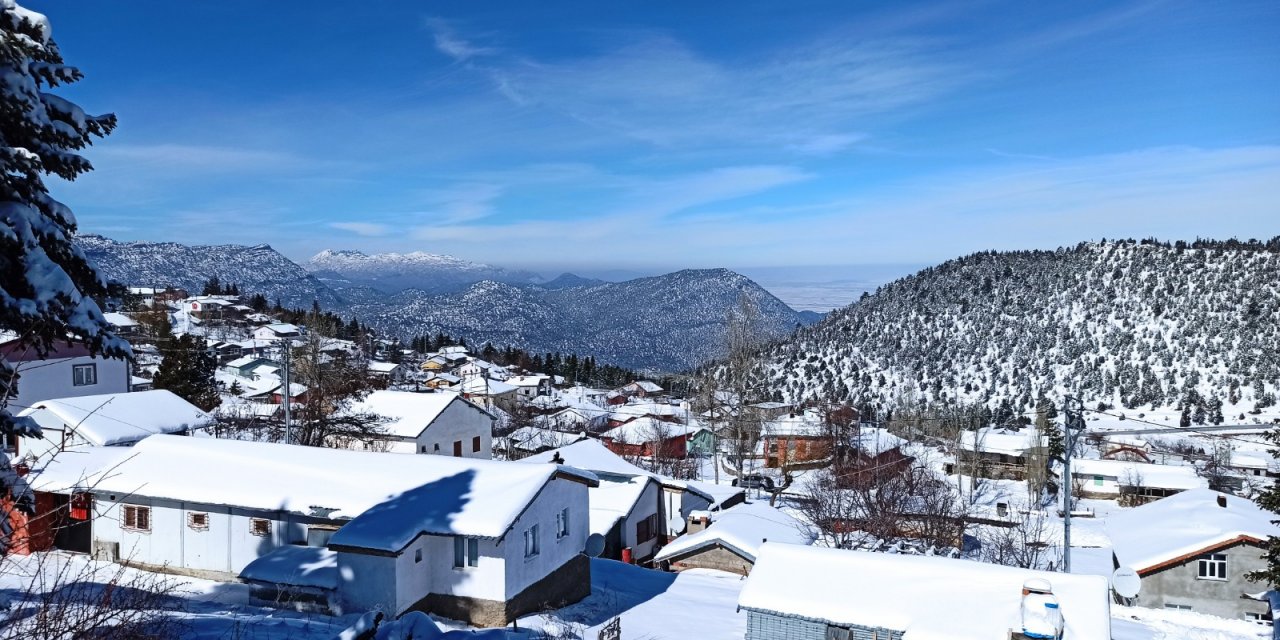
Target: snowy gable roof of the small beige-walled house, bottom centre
[(742, 529)]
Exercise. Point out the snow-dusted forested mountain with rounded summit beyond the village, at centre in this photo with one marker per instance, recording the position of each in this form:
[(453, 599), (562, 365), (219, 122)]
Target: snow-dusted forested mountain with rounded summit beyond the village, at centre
[(669, 322)]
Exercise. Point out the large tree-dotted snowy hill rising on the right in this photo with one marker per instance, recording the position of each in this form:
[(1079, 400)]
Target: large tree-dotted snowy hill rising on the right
[(1131, 324)]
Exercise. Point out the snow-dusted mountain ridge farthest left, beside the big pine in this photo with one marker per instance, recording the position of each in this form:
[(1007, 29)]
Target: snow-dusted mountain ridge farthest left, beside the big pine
[(258, 269)]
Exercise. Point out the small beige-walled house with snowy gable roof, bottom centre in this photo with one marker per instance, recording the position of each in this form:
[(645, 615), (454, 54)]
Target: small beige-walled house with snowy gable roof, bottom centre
[(730, 540)]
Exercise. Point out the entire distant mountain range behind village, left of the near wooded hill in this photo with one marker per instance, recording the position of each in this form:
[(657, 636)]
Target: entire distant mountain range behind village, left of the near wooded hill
[(668, 323)]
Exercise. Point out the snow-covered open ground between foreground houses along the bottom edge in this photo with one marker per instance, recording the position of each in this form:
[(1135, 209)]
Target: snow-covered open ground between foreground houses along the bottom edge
[(652, 606)]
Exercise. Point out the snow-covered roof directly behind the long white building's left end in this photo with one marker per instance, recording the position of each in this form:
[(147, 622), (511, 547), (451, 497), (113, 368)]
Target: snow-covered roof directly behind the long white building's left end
[(122, 418)]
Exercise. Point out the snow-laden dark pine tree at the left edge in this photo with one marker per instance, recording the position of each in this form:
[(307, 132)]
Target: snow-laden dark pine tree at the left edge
[(47, 285)]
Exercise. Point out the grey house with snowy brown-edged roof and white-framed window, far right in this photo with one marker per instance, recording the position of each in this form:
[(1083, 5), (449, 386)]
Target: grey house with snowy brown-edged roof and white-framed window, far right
[(1192, 552)]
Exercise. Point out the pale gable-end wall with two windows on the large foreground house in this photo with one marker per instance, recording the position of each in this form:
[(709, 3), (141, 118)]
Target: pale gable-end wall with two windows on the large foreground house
[(555, 552)]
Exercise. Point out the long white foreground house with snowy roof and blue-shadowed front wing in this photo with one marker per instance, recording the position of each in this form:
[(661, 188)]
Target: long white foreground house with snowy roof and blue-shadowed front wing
[(482, 542)]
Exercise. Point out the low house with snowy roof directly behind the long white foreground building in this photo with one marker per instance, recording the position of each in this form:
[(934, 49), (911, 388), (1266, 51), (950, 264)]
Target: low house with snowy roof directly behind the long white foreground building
[(108, 420)]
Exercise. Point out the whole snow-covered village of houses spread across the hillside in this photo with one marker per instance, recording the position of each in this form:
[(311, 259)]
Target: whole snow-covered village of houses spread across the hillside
[(493, 497)]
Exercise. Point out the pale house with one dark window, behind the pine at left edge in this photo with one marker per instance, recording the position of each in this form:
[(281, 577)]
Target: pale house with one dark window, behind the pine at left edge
[(67, 372)]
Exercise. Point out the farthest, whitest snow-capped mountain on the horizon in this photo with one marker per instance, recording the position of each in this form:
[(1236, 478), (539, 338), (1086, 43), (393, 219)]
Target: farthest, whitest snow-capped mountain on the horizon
[(392, 273)]
